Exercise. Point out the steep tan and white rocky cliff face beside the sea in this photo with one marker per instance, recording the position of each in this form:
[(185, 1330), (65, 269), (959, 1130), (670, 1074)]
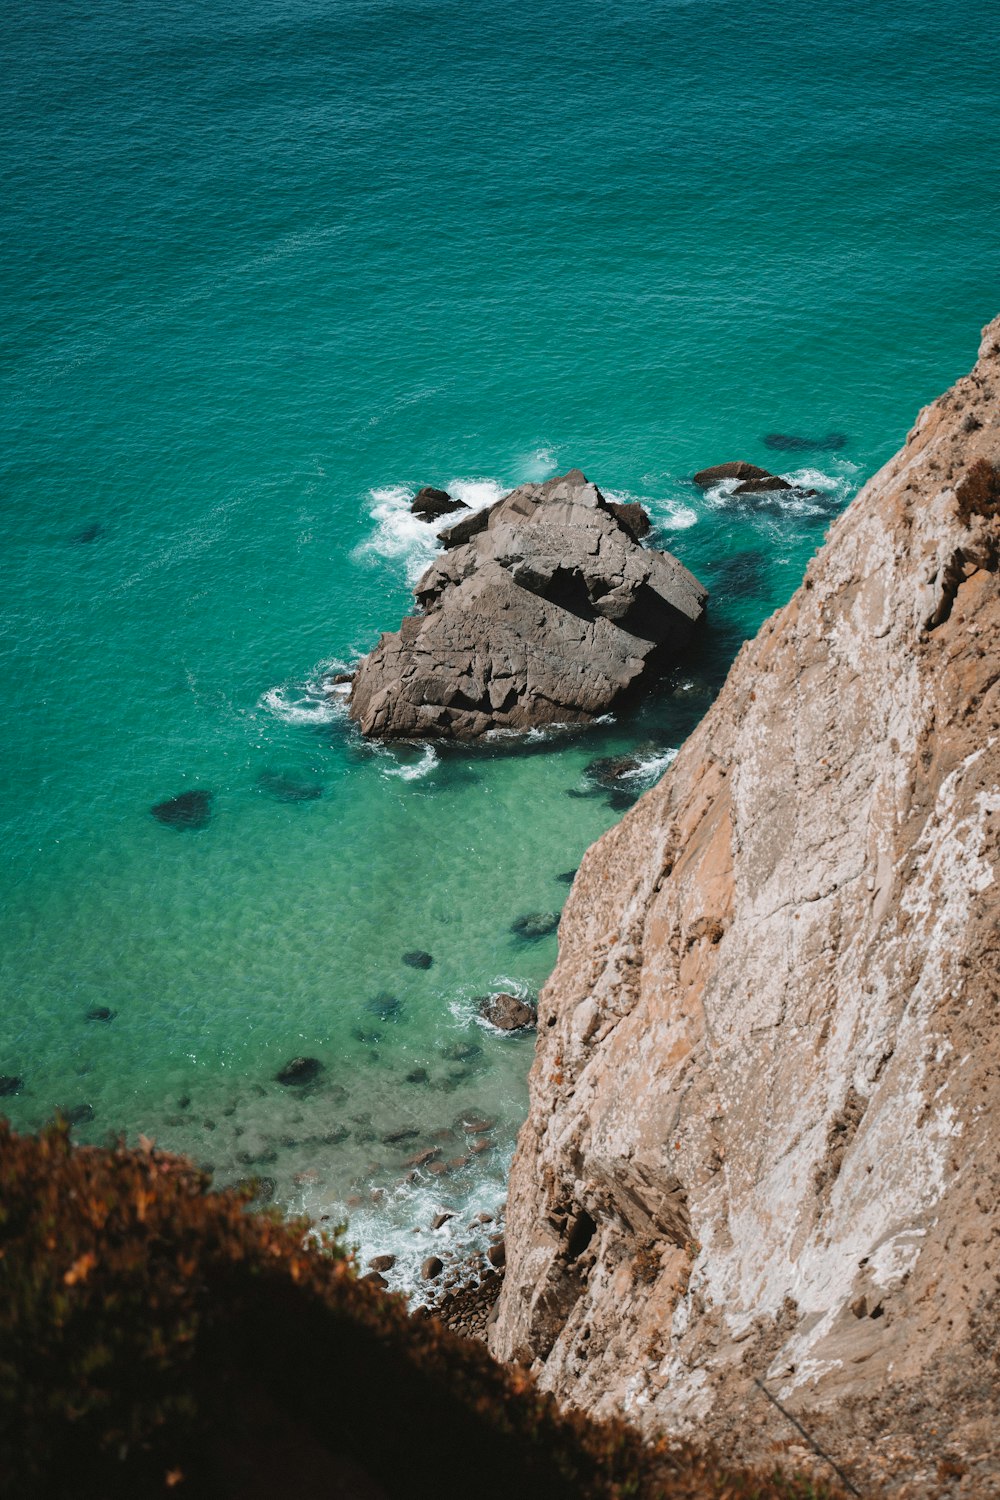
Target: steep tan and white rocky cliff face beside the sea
[(764, 1132)]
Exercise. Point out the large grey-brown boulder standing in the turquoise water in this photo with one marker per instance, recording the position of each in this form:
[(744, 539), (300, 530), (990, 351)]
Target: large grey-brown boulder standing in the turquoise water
[(543, 610)]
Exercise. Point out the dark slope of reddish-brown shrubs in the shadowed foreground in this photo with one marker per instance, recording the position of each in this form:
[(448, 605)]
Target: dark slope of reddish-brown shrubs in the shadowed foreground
[(161, 1339)]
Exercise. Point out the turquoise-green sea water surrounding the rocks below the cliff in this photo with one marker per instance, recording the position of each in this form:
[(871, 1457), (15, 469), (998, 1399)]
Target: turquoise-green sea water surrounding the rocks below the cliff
[(269, 269)]
